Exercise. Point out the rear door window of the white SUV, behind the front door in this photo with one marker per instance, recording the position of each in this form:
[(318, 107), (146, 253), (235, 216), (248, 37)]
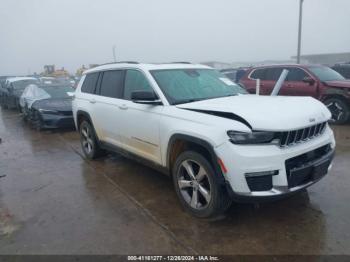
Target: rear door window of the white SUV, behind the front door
[(112, 83)]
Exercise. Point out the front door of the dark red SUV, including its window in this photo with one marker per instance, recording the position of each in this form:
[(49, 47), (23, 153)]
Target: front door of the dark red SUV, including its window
[(294, 85)]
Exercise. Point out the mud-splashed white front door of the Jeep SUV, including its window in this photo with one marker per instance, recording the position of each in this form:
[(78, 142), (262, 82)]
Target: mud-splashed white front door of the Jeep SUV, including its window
[(139, 123)]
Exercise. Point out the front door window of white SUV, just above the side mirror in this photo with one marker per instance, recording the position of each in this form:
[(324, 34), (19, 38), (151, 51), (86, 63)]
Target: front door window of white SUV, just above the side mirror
[(135, 81)]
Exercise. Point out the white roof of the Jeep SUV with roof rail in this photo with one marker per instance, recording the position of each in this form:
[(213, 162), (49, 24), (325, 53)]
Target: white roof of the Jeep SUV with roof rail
[(146, 67)]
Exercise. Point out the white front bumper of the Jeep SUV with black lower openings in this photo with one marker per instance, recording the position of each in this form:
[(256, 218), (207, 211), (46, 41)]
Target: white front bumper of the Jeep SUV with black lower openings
[(294, 169)]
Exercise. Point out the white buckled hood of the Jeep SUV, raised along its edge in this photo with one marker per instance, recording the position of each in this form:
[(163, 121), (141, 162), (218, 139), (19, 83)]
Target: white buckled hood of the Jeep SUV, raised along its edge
[(274, 113)]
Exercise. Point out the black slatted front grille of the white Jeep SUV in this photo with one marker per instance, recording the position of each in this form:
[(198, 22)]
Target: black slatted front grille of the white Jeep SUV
[(289, 138)]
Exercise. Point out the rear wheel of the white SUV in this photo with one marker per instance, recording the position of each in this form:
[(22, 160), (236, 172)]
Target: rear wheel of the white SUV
[(89, 142)]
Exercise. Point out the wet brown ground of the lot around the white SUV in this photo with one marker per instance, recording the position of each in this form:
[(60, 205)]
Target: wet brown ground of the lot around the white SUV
[(52, 201)]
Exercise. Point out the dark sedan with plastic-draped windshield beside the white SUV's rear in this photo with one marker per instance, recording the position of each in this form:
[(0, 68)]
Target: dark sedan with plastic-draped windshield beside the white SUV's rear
[(48, 106)]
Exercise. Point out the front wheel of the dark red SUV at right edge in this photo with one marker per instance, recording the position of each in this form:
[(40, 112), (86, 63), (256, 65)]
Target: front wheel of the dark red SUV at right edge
[(340, 110)]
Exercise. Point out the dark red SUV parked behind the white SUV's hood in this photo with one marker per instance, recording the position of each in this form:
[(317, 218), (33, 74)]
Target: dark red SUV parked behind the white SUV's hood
[(320, 82)]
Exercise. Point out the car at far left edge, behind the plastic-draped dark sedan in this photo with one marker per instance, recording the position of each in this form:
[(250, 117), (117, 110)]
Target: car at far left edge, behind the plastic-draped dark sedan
[(13, 89)]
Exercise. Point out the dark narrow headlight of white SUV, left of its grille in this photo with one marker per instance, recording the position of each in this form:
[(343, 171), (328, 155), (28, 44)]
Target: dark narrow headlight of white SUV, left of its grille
[(255, 137)]
